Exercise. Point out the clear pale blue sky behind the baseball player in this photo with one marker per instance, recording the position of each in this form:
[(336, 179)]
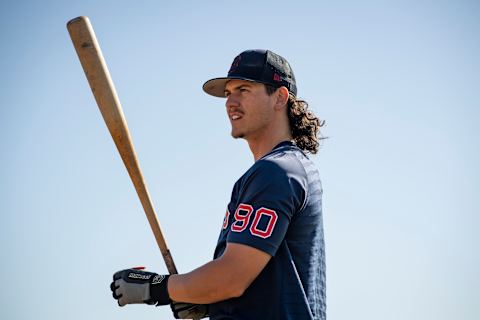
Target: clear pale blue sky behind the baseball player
[(398, 83)]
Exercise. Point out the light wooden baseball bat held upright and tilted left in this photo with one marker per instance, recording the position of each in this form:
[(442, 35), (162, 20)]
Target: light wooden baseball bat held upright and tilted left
[(95, 68)]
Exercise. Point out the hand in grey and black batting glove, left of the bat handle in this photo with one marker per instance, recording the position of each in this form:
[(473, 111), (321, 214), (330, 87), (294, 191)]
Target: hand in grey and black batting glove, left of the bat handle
[(135, 286)]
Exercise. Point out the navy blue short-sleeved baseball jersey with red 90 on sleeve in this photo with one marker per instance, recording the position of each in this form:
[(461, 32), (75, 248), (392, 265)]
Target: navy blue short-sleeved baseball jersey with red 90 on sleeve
[(276, 207)]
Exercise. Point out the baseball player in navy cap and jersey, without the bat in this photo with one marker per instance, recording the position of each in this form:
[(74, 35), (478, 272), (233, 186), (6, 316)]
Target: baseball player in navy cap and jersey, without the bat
[(269, 262)]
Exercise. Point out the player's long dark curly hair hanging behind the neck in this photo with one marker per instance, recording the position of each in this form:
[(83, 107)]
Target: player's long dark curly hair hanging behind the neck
[(304, 125)]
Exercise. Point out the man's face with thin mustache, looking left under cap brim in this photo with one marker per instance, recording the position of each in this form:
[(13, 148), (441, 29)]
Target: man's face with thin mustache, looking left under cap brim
[(249, 108)]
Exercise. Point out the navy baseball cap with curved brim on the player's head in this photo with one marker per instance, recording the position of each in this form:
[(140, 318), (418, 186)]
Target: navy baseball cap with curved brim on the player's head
[(261, 66)]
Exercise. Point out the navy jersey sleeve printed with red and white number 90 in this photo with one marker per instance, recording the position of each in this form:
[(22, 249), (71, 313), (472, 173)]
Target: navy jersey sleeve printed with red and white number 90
[(266, 203)]
